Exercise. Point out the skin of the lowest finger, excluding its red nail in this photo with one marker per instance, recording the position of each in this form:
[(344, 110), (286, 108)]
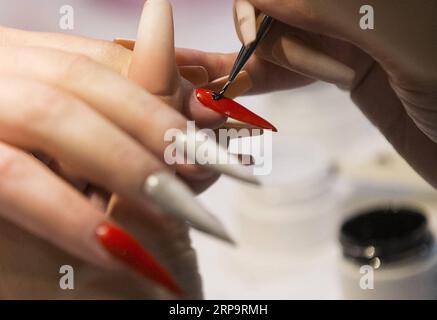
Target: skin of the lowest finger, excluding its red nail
[(24, 185)]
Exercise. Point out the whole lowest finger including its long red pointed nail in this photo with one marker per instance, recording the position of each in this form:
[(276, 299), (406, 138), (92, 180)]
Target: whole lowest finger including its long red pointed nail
[(77, 228)]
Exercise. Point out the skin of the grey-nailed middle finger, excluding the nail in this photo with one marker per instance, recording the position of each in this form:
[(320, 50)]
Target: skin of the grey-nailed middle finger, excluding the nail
[(53, 122)]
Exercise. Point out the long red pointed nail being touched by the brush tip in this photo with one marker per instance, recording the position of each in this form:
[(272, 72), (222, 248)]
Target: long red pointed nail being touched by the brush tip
[(232, 109)]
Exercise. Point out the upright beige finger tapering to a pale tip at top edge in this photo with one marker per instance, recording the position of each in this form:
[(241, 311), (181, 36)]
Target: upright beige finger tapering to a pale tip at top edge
[(154, 50)]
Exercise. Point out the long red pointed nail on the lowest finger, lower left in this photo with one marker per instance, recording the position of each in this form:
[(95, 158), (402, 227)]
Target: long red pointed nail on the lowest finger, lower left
[(125, 248)]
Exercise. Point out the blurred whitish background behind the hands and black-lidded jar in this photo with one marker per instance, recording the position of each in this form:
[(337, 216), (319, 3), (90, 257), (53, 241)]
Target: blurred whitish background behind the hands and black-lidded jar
[(328, 163)]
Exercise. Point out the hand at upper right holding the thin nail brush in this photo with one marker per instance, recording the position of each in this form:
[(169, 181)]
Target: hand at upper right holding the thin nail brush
[(390, 71)]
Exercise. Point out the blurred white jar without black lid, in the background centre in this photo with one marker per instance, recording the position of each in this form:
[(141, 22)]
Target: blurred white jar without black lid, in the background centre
[(297, 206)]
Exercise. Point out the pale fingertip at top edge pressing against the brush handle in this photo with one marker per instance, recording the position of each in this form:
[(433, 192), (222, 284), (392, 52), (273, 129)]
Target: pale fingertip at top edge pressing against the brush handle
[(245, 21)]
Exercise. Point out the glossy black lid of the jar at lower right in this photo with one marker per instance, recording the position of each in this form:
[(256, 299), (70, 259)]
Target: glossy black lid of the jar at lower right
[(385, 234)]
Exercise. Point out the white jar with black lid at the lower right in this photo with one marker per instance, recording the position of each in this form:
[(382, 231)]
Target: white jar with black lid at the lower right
[(388, 253)]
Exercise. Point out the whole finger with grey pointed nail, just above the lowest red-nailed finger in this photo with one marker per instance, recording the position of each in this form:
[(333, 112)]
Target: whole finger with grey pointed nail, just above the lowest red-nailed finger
[(64, 128)]
